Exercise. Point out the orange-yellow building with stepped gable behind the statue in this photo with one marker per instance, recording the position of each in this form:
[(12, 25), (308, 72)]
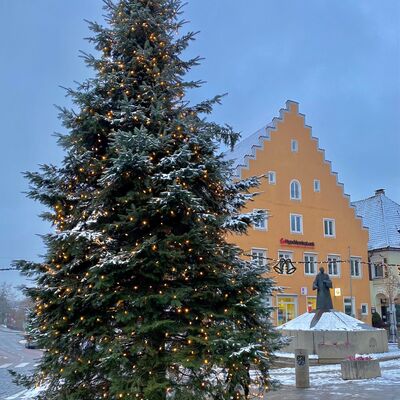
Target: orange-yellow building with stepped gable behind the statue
[(309, 219)]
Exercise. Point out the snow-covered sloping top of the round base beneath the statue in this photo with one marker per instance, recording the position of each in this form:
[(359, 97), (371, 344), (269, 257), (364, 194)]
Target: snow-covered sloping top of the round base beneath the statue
[(329, 321)]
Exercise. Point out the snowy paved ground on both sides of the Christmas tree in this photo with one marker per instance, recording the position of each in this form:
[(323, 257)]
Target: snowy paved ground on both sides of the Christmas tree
[(326, 381)]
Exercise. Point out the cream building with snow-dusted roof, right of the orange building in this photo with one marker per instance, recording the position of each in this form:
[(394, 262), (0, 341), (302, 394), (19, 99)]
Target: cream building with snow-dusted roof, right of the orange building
[(382, 217)]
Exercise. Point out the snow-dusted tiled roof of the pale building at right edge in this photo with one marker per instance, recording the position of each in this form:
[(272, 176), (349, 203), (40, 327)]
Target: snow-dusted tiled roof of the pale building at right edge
[(382, 217)]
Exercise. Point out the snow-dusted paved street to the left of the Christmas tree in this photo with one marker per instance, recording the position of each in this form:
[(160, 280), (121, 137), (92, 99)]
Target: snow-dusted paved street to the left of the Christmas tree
[(14, 356)]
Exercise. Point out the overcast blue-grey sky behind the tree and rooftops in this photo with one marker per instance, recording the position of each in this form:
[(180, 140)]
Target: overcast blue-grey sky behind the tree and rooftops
[(339, 59)]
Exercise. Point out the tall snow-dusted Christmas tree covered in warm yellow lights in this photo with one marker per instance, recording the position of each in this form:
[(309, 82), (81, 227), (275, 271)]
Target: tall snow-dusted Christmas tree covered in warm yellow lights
[(140, 295)]
